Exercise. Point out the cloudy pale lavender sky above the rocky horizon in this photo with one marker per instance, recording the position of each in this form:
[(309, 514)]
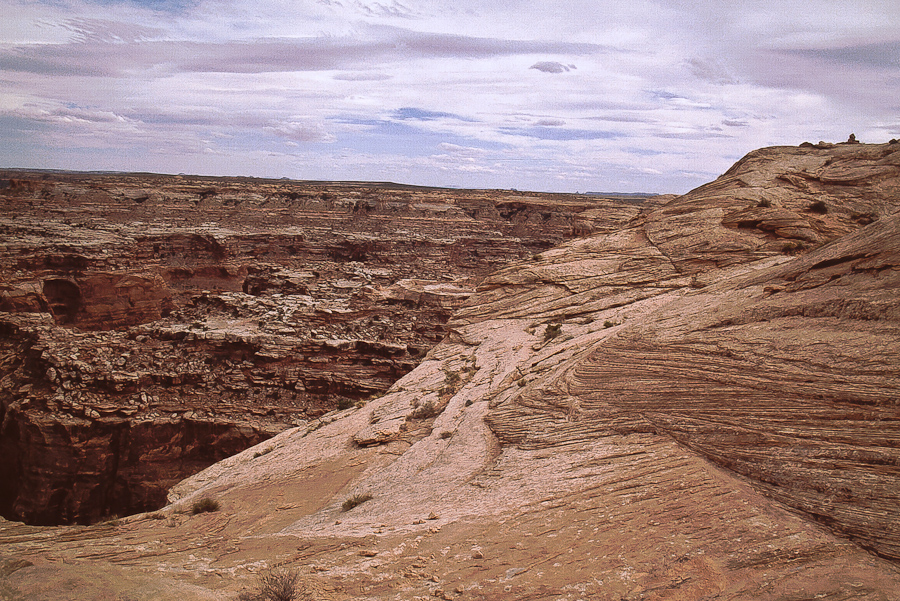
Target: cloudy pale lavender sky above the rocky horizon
[(583, 95)]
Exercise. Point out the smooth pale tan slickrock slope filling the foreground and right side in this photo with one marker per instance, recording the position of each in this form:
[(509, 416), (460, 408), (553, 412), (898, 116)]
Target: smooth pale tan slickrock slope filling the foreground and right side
[(695, 405)]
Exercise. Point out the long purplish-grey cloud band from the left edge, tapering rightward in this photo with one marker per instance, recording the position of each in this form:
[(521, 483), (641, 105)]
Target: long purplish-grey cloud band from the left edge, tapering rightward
[(378, 45)]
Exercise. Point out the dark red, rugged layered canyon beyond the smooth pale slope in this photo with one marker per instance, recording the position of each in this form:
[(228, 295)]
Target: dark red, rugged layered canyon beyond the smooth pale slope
[(152, 325)]
